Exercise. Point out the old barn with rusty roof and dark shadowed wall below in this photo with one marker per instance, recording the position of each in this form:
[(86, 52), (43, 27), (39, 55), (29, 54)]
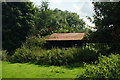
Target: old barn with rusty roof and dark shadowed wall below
[(66, 39)]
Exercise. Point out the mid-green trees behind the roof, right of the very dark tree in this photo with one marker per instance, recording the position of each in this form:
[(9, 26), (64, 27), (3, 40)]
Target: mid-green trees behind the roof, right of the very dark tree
[(57, 21)]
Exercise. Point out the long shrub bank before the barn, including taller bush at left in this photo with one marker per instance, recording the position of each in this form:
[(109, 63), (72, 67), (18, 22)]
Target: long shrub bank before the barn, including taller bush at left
[(34, 50)]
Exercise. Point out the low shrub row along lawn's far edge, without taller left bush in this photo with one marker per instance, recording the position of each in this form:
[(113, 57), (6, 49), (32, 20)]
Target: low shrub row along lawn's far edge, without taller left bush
[(54, 56)]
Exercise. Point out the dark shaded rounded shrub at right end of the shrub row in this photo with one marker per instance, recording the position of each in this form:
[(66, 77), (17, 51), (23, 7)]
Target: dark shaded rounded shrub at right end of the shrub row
[(85, 55)]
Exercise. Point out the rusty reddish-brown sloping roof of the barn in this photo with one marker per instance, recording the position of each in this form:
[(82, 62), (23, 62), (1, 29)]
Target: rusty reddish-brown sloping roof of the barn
[(66, 36)]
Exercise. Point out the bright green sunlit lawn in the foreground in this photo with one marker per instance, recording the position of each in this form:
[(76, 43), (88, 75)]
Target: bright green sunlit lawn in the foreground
[(26, 70)]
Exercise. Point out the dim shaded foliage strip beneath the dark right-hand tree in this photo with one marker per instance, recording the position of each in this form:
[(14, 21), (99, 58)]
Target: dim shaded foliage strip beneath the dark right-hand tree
[(105, 48)]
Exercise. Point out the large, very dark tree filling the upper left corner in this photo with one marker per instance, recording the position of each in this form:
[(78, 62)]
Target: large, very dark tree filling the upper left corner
[(17, 22)]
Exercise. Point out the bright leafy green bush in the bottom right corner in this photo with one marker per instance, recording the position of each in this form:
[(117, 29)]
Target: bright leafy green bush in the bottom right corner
[(106, 67)]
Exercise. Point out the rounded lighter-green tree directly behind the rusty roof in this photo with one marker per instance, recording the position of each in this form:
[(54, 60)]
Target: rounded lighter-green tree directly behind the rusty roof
[(68, 22)]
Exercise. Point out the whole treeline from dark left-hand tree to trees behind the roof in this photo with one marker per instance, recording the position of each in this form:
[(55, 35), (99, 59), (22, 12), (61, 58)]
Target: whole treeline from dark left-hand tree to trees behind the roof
[(23, 19)]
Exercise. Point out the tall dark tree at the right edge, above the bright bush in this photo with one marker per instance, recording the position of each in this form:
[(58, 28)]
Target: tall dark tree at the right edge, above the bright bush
[(106, 19)]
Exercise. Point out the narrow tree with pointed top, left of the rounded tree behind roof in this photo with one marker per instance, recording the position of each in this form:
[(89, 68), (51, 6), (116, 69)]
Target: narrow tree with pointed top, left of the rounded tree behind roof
[(42, 18)]
